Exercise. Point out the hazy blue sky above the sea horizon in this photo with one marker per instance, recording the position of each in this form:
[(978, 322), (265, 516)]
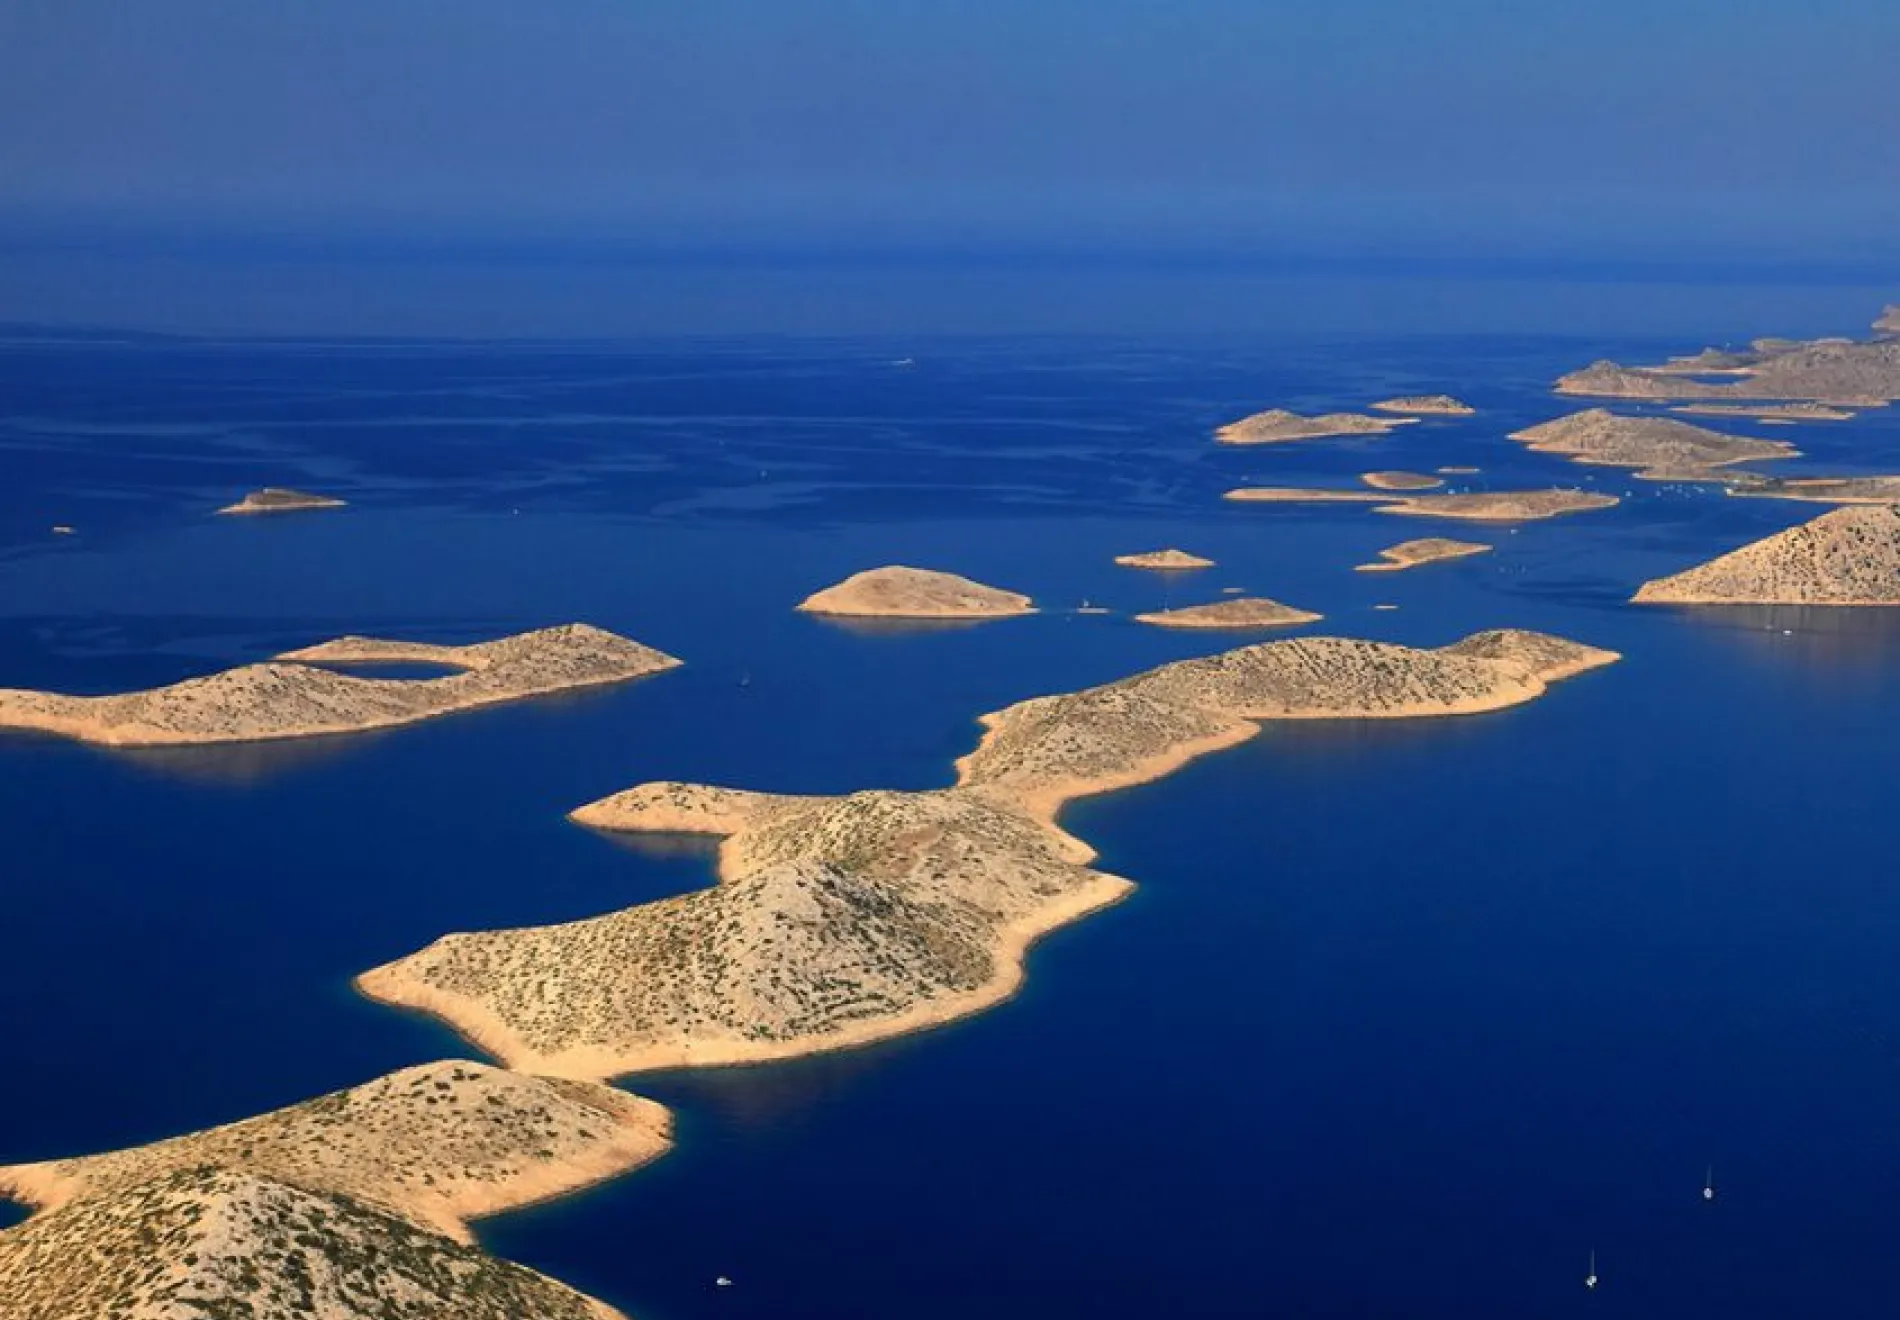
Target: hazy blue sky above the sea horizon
[(1378, 123)]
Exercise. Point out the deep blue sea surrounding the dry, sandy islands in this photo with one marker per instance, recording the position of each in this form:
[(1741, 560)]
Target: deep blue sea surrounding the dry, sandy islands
[(1403, 1021)]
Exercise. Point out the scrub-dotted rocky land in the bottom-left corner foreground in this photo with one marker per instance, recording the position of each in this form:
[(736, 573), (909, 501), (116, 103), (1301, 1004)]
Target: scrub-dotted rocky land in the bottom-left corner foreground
[(352, 1207)]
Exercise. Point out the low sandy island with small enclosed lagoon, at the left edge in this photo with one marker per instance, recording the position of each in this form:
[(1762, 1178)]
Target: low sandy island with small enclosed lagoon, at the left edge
[(294, 696)]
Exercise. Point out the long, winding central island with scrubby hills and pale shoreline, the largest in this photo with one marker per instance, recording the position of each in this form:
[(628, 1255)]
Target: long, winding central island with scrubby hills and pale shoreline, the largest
[(848, 920)]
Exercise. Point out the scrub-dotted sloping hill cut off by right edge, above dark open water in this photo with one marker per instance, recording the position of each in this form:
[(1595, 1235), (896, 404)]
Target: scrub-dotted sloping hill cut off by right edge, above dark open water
[(1846, 557)]
